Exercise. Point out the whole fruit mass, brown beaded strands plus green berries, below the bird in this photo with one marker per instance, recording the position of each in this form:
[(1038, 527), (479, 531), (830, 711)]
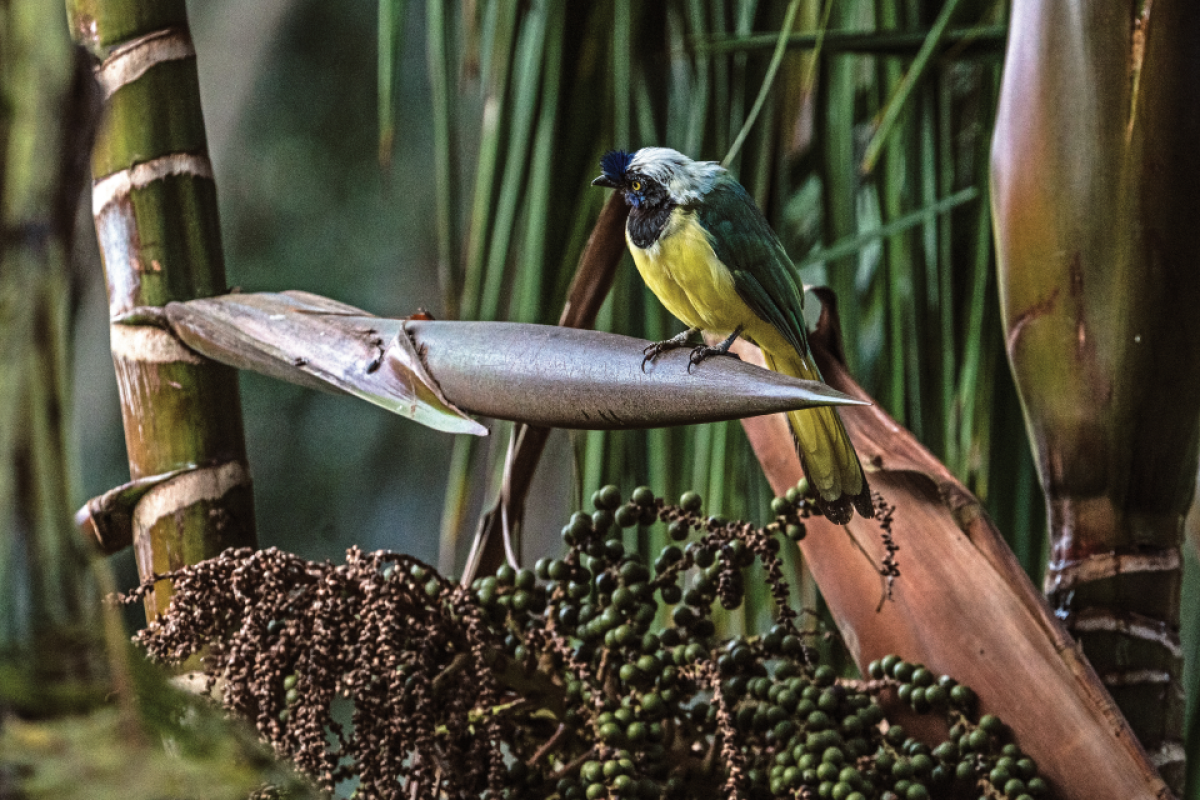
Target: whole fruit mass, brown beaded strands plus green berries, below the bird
[(593, 676)]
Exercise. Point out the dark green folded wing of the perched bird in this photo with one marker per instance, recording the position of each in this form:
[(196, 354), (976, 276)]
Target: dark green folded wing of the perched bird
[(763, 272)]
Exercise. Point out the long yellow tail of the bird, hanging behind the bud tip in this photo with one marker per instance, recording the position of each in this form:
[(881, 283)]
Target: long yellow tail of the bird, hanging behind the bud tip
[(827, 456)]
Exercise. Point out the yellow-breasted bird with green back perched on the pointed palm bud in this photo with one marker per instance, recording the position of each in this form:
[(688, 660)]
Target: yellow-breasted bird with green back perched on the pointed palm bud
[(710, 256)]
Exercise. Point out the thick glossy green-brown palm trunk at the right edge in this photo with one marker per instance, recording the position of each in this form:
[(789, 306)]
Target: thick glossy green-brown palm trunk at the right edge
[(1095, 171)]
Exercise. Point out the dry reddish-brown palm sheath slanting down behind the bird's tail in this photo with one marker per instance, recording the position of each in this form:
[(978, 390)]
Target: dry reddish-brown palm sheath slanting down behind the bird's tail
[(962, 605)]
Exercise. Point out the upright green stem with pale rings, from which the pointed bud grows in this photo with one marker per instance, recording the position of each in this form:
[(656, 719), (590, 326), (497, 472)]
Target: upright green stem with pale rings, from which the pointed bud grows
[(157, 219)]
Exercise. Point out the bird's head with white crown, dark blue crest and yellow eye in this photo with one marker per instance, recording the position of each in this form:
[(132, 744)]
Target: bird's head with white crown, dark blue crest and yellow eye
[(657, 177)]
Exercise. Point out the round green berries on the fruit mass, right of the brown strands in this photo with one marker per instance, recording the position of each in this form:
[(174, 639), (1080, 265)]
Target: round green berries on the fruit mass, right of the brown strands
[(650, 708)]
